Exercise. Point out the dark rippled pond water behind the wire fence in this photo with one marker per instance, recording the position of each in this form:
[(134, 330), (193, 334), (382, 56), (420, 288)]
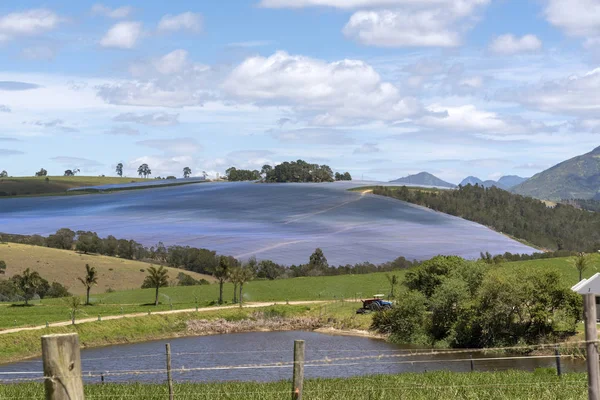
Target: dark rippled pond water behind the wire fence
[(236, 355)]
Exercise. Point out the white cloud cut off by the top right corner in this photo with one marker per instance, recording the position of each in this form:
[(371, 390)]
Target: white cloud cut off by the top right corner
[(576, 17)]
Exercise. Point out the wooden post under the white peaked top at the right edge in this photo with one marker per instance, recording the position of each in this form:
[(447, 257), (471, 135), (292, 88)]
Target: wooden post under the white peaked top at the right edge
[(591, 337)]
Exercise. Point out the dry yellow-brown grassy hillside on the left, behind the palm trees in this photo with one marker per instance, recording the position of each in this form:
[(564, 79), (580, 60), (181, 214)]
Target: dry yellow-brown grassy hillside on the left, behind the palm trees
[(65, 266)]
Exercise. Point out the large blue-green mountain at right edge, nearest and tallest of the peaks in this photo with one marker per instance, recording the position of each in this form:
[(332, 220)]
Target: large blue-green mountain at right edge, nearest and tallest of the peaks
[(577, 178)]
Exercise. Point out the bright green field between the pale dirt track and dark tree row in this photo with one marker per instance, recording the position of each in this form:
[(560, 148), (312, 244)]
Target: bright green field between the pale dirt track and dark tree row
[(326, 288)]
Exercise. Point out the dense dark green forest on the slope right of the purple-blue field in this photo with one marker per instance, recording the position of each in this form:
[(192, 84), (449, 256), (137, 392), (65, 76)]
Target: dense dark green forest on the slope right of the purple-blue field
[(561, 227)]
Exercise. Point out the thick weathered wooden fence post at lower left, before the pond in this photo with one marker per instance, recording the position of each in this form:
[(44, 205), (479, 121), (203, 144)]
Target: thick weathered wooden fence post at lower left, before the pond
[(62, 367)]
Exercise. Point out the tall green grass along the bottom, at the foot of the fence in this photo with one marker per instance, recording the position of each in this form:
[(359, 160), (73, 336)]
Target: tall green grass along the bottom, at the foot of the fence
[(543, 384)]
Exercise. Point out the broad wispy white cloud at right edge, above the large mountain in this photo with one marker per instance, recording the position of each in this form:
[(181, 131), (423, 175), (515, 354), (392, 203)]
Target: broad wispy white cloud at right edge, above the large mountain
[(575, 95)]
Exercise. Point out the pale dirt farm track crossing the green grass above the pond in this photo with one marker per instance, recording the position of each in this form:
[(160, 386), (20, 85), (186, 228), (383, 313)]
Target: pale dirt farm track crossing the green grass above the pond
[(134, 315)]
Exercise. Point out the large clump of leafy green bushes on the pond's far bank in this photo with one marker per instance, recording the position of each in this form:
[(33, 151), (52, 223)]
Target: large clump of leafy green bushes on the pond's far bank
[(452, 302)]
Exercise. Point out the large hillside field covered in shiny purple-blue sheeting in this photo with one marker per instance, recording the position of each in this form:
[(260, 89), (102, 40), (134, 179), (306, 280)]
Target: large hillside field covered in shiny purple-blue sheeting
[(281, 222)]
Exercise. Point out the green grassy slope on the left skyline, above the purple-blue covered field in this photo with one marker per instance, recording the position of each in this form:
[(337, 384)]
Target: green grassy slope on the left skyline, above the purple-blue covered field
[(56, 184)]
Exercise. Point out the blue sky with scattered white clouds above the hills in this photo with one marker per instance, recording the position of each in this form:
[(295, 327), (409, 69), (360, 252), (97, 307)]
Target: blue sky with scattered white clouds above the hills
[(379, 88)]
